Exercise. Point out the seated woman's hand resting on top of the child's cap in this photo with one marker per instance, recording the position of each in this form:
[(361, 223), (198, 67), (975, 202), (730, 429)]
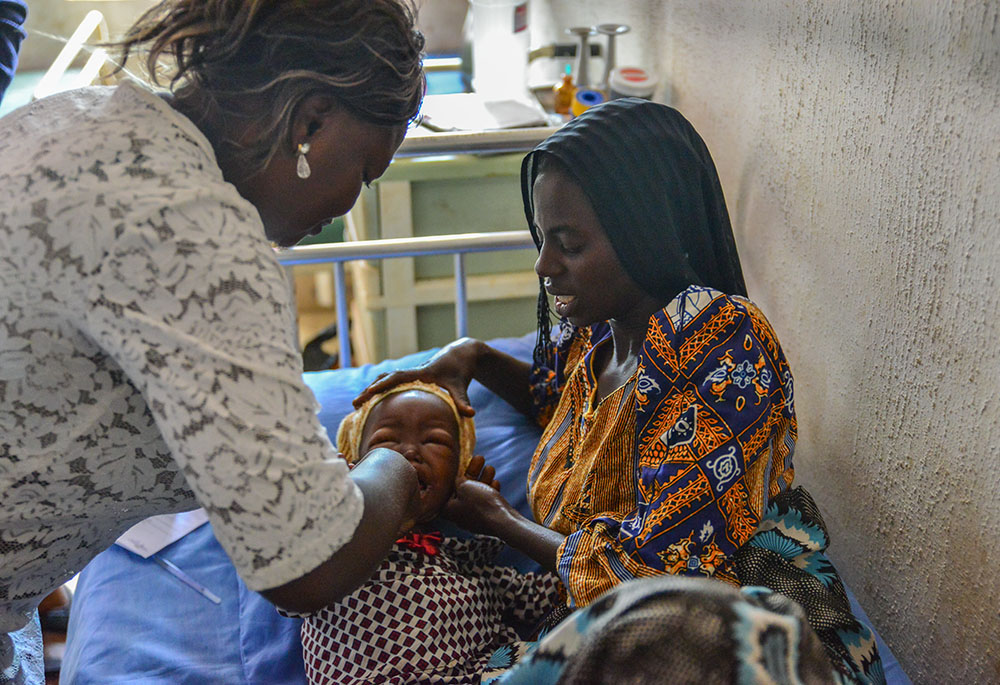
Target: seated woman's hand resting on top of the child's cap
[(453, 368)]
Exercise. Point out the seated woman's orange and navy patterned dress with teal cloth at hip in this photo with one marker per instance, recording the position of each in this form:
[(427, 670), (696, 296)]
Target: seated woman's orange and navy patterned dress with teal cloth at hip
[(686, 468)]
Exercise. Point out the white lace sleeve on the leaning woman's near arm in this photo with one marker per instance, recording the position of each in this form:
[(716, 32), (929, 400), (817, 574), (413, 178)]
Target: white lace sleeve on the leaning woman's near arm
[(201, 323)]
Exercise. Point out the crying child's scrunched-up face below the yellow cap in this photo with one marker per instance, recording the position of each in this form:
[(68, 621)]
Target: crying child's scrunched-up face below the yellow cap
[(422, 427)]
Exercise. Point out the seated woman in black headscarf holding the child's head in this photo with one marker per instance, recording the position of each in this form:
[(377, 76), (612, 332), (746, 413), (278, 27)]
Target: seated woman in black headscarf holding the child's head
[(666, 399)]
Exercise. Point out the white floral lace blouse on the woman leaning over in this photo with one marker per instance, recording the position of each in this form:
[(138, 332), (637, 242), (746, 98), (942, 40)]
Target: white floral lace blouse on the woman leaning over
[(147, 359)]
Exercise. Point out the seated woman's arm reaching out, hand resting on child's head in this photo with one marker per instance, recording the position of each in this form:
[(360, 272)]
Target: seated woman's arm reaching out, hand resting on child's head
[(458, 364)]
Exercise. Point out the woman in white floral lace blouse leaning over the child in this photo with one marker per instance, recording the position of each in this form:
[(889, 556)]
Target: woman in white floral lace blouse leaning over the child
[(147, 356)]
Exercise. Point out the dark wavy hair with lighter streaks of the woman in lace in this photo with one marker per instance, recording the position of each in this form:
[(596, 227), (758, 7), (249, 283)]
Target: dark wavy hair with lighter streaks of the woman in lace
[(233, 57)]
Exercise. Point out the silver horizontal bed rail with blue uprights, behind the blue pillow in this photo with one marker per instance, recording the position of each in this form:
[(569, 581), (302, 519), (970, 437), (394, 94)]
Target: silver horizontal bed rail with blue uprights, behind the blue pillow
[(458, 245)]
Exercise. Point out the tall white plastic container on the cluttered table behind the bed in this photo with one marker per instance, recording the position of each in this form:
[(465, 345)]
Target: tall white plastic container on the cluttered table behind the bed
[(500, 43)]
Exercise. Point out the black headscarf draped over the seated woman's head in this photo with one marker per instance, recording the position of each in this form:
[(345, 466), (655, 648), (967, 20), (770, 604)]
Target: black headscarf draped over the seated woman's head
[(652, 182)]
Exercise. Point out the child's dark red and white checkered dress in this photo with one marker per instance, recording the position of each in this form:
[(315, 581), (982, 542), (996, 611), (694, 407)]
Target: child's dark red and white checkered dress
[(435, 611)]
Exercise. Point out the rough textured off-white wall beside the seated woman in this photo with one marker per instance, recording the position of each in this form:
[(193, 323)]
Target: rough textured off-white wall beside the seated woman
[(859, 147)]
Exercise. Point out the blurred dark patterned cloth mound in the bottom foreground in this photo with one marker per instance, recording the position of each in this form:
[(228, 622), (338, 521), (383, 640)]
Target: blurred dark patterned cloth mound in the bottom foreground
[(679, 629)]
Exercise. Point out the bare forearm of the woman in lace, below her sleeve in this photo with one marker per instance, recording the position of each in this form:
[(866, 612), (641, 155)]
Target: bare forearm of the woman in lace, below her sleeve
[(389, 485)]
